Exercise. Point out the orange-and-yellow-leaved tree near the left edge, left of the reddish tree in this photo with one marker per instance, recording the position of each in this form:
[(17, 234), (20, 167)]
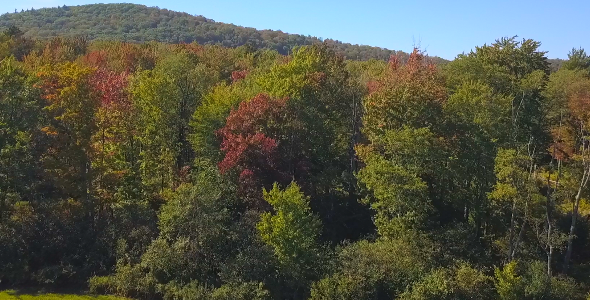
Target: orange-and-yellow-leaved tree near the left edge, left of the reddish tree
[(71, 106)]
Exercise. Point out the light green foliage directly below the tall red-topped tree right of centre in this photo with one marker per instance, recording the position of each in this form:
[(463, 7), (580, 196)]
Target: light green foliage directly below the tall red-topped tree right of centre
[(393, 174)]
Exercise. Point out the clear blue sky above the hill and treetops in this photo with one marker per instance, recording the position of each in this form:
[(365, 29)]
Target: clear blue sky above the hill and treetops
[(441, 28)]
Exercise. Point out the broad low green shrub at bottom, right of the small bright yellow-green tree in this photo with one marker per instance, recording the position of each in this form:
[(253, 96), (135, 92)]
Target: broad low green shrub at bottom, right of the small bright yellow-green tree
[(377, 270)]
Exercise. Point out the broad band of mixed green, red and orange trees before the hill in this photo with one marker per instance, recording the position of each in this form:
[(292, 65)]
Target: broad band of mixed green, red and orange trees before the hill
[(196, 171)]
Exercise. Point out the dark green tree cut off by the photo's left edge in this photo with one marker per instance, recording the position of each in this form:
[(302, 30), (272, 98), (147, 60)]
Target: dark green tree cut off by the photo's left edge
[(21, 116)]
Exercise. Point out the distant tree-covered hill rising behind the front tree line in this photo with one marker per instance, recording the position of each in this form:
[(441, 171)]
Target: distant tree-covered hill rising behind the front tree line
[(139, 23)]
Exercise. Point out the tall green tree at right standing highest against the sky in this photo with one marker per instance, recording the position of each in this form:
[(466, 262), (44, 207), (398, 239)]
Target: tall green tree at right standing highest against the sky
[(505, 81)]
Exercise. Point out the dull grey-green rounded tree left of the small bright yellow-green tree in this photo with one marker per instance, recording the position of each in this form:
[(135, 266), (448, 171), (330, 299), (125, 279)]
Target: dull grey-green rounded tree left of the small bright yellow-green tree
[(194, 231)]
